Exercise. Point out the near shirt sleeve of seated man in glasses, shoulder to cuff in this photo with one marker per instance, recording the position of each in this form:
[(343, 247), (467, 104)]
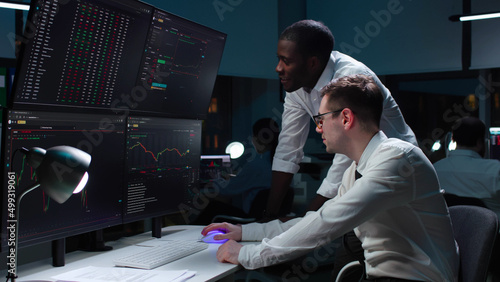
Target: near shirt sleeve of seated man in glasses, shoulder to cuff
[(382, 189)]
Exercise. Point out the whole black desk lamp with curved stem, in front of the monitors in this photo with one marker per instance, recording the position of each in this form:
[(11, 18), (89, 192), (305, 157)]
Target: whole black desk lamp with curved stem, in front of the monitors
[(61, 171)]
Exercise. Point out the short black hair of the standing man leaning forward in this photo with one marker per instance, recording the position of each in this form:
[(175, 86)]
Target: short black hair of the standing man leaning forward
[(313, 38)]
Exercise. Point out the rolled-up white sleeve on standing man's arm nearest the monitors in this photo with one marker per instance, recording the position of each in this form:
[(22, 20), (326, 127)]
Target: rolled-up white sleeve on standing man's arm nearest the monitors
[(293, 136)]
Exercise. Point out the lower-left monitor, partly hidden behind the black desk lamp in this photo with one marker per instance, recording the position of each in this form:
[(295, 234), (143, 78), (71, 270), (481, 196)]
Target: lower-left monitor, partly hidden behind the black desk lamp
[(98, 206)]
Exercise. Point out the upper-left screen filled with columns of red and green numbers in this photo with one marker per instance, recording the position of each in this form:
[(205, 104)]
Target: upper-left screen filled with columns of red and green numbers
[(81, 53)]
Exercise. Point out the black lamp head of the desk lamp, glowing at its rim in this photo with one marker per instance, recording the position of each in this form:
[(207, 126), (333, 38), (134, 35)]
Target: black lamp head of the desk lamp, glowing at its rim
[(61, 171)]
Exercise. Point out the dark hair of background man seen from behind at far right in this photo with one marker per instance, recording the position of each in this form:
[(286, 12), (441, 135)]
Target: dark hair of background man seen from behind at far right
[(468, 131)]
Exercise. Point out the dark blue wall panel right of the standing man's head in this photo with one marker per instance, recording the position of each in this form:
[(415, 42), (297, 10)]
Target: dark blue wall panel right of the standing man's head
[(394, 36)]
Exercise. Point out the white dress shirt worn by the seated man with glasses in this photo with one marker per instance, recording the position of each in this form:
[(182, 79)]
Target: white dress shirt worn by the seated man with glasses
[(396, 210)]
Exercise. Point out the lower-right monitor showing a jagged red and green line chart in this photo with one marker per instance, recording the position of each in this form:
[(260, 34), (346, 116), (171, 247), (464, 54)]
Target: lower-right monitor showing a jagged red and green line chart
[(163, 159)]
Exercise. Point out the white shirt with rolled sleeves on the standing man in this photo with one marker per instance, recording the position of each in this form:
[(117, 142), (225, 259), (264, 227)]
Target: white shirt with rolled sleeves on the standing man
[(300, 106)]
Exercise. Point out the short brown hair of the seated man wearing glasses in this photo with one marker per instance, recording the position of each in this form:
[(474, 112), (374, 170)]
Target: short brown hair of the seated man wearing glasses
[(359, 93)]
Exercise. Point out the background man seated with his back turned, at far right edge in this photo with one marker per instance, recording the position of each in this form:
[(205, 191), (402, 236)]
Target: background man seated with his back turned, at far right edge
[(464, 172)]
